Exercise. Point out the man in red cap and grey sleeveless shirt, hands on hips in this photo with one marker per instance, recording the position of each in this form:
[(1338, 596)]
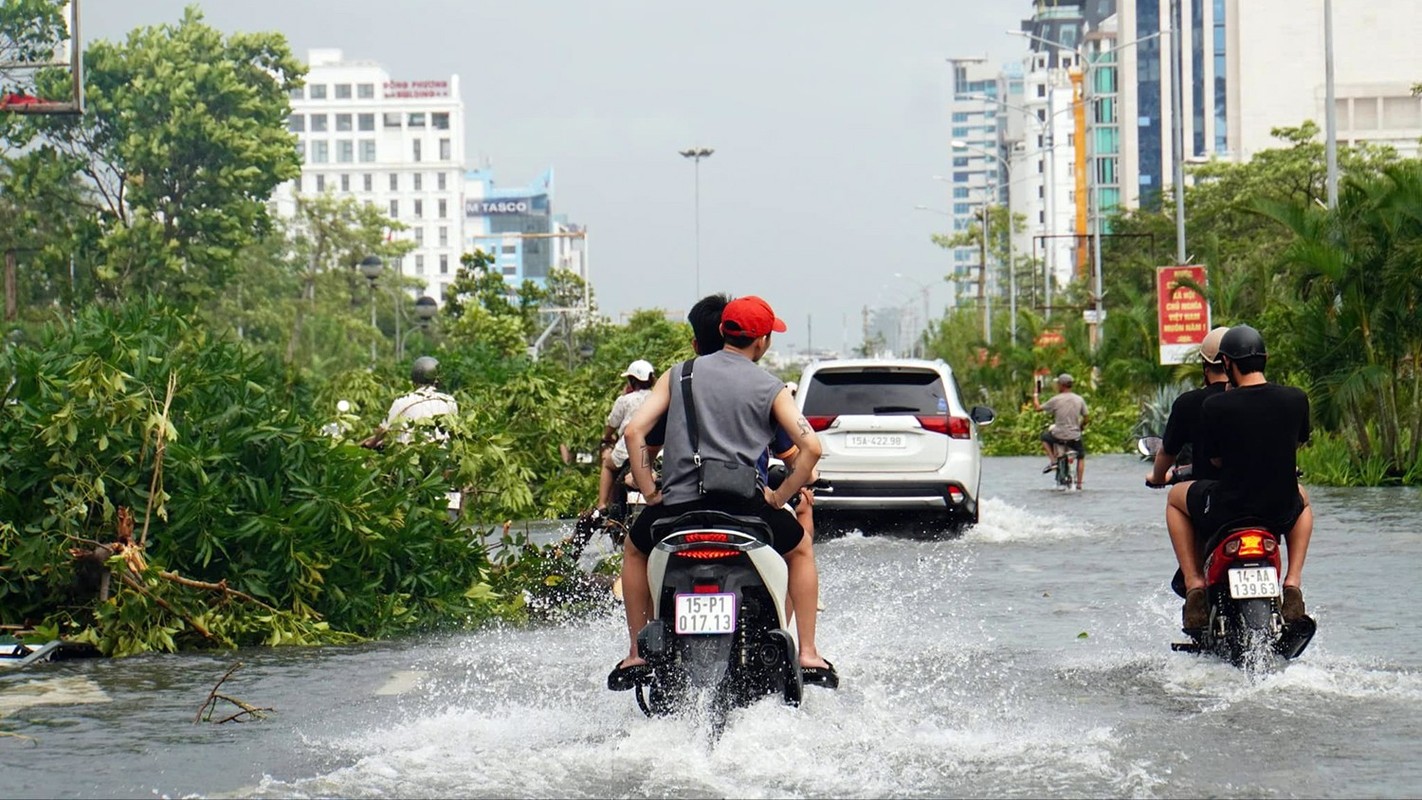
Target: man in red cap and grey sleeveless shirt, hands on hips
[(739, 406)]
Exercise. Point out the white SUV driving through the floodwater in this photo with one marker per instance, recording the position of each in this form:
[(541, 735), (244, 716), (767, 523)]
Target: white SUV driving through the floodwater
[(897, 440)]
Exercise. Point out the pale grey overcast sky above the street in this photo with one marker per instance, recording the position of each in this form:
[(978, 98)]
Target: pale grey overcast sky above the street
[(828, 119)]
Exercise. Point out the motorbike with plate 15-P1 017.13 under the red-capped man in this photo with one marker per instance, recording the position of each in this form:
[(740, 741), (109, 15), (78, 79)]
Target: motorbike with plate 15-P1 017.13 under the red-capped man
[(720, 622)]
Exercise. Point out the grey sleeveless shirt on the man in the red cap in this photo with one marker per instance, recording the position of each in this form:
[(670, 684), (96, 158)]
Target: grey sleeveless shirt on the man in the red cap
[(733, 401)]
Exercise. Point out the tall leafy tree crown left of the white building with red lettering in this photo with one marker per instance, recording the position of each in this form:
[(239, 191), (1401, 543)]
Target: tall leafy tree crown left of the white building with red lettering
[(183, 143)]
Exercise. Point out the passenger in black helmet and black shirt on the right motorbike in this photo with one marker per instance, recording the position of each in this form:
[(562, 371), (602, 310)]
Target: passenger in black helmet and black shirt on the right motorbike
[(1252, 434)]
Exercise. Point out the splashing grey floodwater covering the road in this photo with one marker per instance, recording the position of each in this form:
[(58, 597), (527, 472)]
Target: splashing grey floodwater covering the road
[(1027, 659)]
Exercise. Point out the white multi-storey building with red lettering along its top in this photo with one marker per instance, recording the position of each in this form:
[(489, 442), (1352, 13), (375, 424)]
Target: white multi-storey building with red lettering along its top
[(393, 144)]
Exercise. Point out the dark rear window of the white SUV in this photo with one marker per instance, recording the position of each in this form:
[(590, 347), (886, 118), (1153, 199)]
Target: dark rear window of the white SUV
[(835, 393)]
